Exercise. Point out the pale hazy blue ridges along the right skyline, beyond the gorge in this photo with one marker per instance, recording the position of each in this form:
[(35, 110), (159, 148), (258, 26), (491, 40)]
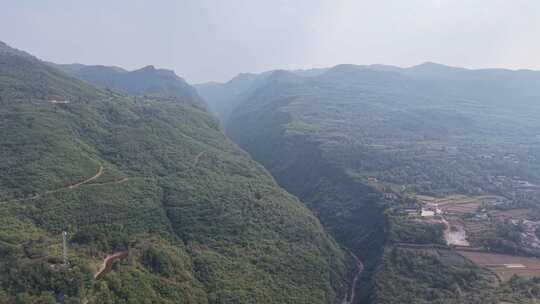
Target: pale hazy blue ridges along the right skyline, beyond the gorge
[(486, 85)]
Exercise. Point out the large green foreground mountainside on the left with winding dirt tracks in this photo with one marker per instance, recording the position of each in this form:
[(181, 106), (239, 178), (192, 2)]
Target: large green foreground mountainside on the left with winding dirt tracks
[(157, 204)]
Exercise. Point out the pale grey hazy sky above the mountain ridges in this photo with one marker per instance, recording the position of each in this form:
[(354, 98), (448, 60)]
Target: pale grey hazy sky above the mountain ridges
[(206, 40)]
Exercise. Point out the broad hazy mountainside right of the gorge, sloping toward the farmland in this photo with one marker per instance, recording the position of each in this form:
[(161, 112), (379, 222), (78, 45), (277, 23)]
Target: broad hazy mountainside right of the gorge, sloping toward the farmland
[(363, 146)]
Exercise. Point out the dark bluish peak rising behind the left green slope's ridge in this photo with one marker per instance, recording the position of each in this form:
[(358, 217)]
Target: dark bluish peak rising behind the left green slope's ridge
[(147, 81)]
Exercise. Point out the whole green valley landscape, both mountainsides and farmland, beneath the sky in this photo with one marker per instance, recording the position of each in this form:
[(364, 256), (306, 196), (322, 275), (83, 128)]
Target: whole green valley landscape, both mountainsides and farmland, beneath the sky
[(405, 194)]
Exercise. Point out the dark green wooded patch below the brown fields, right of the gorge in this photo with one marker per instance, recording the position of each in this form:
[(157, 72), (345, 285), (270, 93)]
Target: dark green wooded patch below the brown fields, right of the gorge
[(430, 276)]
